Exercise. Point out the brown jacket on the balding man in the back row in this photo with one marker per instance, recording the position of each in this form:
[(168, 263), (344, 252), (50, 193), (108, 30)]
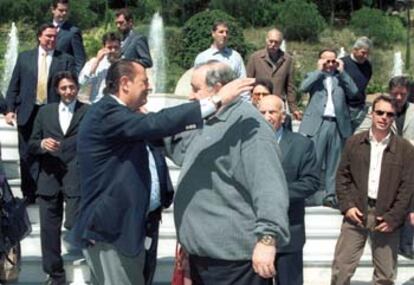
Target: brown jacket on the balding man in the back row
[(281, 74)]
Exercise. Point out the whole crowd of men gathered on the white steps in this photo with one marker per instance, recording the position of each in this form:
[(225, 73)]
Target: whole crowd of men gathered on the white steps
[(245, 179)]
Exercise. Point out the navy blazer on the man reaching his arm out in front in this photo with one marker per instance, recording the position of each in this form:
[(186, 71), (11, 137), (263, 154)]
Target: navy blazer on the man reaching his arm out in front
[(115, 178)]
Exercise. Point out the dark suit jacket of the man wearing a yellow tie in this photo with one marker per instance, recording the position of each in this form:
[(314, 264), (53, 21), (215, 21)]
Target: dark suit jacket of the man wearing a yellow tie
[(21, 94)]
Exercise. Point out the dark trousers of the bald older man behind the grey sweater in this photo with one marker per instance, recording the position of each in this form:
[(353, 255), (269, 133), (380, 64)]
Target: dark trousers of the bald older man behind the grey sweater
[(289, 268)]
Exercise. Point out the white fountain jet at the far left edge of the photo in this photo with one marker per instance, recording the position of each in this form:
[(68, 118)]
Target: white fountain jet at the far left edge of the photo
[(10, 57)]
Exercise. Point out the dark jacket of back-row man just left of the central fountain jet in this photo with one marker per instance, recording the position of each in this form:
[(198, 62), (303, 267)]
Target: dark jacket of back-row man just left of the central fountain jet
[(135, 46)]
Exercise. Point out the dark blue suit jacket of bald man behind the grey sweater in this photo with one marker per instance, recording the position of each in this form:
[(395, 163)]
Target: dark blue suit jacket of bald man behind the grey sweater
[(302, 175)]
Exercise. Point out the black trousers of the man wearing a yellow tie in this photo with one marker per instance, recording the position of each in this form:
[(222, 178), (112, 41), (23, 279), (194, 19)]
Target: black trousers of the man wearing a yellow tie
[(29, 168)]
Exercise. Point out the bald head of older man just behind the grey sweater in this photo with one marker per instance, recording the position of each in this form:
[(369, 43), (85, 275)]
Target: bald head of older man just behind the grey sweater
[(272, 109)]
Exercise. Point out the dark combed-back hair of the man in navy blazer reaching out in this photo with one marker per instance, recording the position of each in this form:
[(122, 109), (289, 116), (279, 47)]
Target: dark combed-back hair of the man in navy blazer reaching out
[(122, 67)]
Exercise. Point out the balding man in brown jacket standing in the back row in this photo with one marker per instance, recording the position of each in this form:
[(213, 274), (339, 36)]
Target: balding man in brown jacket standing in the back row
[(277, 66)]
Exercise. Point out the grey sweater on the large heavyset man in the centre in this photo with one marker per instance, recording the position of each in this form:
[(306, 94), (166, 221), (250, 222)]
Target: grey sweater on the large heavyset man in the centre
[(232, 186)]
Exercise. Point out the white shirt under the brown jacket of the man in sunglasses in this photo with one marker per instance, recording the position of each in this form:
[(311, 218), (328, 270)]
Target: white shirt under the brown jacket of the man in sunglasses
[(377, 151)]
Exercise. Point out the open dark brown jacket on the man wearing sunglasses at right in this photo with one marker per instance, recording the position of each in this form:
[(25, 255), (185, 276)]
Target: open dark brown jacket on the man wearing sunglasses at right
[(396, 181)]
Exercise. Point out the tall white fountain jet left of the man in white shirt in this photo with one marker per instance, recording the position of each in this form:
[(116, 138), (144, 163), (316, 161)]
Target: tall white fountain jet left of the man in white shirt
[(157, 48)]
